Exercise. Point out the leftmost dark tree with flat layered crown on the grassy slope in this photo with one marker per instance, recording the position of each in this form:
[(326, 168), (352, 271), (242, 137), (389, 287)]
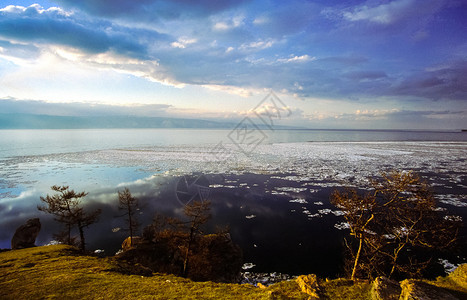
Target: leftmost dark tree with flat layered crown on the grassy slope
[(65, 205)]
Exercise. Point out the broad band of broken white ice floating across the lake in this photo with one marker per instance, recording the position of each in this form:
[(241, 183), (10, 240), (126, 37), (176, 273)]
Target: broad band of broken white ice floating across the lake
[(320, 164)]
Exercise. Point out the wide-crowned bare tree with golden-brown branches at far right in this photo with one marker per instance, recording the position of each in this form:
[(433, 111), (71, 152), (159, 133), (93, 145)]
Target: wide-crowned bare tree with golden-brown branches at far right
[(397, 225)]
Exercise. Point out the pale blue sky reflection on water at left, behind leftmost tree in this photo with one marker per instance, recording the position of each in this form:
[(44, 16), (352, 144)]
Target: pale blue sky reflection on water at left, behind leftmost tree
[(23, 184)]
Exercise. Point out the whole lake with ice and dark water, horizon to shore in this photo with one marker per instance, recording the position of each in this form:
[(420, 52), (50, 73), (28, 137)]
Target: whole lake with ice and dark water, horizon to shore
[(271, 187)]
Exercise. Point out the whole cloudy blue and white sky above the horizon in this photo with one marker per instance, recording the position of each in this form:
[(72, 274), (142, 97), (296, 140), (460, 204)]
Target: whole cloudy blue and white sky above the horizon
[(375, 64)]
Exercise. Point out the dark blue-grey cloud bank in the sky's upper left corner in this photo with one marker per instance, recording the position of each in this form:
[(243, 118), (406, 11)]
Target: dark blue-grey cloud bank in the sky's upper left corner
[(53, 26)]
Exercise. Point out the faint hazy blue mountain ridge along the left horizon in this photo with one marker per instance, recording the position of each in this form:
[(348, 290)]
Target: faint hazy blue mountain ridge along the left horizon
[(31, 121)]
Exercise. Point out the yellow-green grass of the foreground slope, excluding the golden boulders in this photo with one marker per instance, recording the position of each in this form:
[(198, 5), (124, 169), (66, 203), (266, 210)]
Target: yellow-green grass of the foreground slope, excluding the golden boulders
[(58, 272)]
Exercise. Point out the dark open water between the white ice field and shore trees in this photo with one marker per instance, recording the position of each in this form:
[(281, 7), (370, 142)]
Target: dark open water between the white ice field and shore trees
[(281, 224)]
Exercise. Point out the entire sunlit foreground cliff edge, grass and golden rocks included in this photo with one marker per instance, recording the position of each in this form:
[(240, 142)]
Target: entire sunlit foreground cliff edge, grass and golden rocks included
[(61, 272)]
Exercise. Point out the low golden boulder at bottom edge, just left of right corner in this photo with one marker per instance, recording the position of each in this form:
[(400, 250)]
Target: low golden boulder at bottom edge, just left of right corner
[(419, 290)]
